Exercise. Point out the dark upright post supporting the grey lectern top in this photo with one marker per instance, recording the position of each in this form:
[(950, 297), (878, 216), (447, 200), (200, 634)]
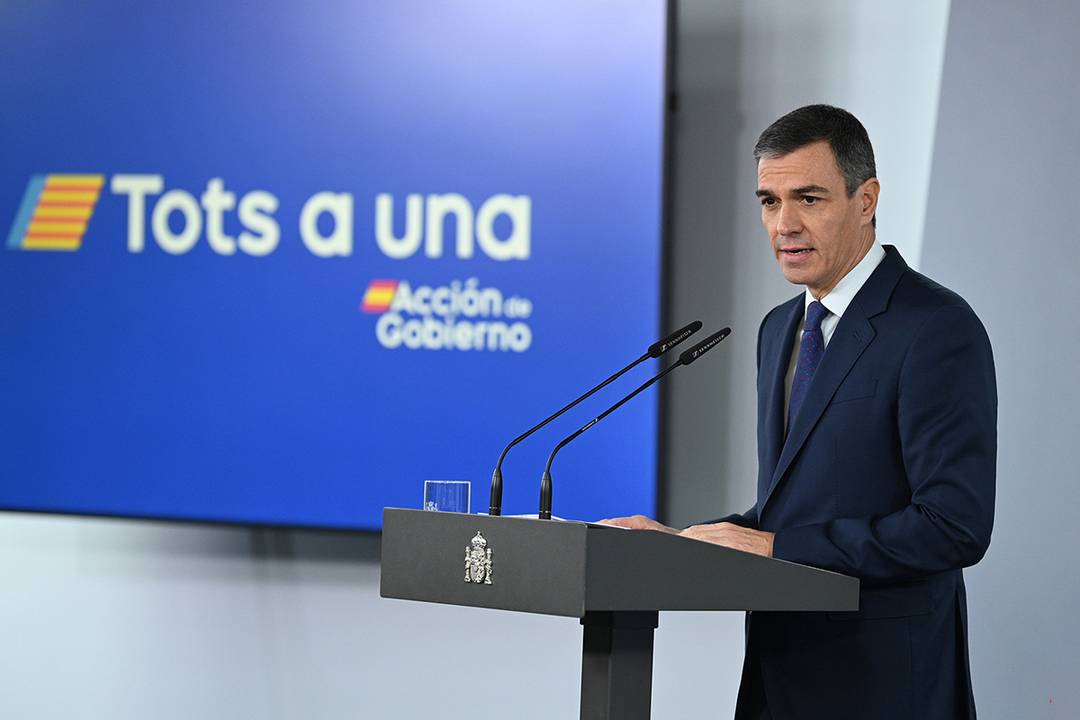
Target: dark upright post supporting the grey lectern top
[(617, 665)]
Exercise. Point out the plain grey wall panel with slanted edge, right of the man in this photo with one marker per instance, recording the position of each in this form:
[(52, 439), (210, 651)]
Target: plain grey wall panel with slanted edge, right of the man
[(1001, 229)]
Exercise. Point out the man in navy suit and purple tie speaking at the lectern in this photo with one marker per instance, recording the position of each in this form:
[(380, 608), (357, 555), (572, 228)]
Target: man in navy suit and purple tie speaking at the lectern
[(877, 441)]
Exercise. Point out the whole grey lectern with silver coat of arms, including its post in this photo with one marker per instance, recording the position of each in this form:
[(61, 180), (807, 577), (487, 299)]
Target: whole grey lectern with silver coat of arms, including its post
[(615, 581)]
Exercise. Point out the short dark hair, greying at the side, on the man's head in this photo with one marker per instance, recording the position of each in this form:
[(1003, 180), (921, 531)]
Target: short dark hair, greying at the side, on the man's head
[(845, 134)]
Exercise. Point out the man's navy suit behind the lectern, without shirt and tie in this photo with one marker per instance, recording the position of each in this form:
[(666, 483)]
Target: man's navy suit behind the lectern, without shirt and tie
[(887, 474)]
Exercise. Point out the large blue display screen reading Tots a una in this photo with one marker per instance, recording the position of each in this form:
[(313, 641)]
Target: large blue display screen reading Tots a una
[(281, 264)]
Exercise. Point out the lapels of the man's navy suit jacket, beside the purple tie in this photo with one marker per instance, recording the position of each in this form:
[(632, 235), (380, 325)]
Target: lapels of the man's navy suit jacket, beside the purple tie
[(852, 337)]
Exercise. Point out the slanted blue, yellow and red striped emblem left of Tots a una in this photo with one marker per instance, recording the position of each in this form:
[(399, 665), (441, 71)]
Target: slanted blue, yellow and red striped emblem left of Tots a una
[(56, 212)]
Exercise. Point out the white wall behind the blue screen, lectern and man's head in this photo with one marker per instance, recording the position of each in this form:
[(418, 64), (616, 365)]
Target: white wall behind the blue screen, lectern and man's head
[(111, 619)]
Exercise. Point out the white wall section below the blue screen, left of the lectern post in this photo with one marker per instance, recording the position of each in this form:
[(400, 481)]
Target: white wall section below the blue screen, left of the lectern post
[(113, 619)]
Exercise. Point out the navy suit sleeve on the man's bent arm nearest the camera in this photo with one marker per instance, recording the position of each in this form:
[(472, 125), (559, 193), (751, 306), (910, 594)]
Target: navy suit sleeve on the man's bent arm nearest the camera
[(948, 426)]
